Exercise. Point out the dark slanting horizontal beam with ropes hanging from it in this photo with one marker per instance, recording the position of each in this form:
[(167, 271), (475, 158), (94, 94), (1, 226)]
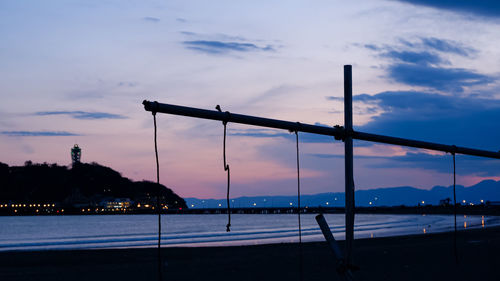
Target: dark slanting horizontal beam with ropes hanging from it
[(337, 132)]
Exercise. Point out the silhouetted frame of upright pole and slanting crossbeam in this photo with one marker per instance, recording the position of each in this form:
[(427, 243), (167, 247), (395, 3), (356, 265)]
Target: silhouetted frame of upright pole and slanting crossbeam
[(345, 134)]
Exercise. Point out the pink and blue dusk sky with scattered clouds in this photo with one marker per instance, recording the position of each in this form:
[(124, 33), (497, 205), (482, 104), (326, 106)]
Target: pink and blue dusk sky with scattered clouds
[(78, 71)]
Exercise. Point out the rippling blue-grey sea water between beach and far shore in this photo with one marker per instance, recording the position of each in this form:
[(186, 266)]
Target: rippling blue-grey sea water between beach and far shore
[(127, 231)]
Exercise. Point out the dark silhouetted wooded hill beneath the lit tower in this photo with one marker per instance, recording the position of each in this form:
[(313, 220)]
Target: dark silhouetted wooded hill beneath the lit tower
[(76, 185)]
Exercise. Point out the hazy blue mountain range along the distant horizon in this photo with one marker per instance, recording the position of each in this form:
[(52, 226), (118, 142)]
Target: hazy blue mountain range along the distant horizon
[(488, 190)]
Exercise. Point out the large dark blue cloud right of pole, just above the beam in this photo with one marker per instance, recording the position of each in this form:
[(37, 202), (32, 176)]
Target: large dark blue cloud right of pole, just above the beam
[(463, 121)]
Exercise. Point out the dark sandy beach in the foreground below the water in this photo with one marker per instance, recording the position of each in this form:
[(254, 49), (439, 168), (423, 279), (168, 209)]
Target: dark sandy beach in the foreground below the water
[(416, 257)]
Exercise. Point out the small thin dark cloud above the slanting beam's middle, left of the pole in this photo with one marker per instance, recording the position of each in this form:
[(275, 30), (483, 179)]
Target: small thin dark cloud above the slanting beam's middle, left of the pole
[(219, 47)]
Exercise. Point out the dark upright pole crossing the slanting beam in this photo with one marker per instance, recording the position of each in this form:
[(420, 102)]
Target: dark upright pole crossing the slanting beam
[(349, 178)]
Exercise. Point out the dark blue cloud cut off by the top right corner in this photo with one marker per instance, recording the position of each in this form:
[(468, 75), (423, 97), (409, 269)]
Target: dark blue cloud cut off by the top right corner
[(488, 8)]
